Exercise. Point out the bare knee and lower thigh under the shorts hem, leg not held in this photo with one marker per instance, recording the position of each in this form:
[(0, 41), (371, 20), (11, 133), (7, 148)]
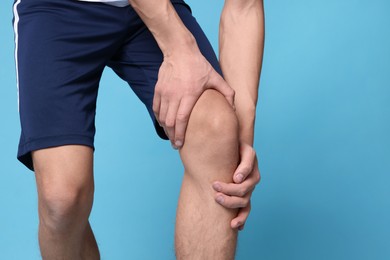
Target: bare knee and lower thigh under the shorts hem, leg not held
[(65, 185)]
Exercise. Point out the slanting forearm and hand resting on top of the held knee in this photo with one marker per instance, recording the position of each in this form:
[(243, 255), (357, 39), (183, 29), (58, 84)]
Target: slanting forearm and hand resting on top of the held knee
[(184, 73)]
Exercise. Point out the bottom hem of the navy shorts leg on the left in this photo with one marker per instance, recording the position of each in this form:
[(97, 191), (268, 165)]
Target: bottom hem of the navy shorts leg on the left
[(24, 151)]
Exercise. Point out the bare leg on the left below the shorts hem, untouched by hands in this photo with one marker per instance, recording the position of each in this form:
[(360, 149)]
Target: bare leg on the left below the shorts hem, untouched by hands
[(65, 184)]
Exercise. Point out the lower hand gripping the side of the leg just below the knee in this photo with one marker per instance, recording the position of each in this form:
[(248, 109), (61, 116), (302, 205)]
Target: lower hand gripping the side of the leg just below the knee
[(238, 194)]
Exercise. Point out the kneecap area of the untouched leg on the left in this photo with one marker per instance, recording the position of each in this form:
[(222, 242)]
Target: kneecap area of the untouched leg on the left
[(64, 207)]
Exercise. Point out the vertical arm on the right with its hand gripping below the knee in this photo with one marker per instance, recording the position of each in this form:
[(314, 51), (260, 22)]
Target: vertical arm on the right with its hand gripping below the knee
[(241, 52)]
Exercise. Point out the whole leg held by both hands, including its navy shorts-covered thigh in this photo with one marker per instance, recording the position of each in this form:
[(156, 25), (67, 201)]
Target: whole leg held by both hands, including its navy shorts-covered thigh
[(210, 151)]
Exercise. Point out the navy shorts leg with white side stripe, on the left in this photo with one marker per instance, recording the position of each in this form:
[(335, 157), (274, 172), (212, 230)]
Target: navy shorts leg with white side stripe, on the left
[(62, 47)]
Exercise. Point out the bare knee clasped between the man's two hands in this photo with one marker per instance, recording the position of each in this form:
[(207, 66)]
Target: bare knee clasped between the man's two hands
[(210, 149)]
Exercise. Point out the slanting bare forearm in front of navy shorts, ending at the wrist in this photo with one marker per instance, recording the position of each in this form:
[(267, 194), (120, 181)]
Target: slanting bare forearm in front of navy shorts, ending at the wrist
[(166, 26)]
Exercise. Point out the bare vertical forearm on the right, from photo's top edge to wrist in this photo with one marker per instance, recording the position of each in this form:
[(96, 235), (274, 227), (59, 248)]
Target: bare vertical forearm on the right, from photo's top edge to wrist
[(241, 44)]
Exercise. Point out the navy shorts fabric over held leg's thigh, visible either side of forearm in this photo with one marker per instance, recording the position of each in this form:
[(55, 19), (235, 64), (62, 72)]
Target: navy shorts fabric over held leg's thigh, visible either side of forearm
[(139, 61)]
